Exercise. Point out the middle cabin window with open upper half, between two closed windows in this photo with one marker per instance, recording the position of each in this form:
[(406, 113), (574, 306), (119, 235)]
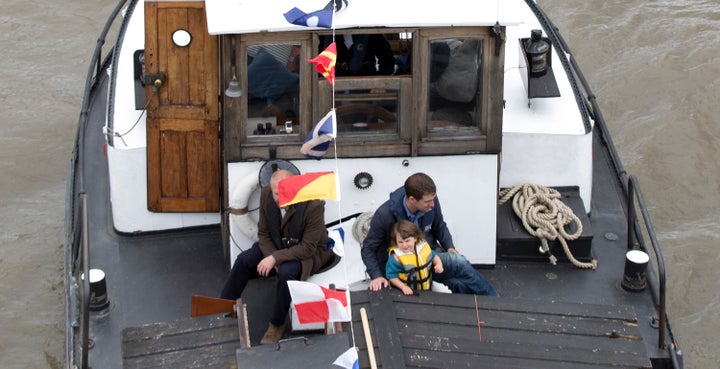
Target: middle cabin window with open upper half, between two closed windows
[(372, 85)]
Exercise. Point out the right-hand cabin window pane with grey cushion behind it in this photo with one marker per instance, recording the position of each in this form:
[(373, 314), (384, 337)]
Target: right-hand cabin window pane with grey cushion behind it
[(455, 85)]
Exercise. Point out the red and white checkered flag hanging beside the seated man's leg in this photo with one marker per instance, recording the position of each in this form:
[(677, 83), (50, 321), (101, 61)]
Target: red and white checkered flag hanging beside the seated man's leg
[(317, 304)]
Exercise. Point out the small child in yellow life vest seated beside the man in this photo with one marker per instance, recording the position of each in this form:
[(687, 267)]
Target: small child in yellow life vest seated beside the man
[(409, 262)]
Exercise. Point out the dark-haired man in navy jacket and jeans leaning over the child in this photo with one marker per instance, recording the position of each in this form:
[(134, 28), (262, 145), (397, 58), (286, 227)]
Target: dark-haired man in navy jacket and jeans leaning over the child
[(417, 202)]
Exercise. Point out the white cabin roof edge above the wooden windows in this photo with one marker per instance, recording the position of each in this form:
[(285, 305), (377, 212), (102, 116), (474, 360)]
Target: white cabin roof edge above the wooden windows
[(249, 16)]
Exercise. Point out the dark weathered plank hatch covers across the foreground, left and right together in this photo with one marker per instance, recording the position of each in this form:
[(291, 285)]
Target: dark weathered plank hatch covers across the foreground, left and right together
[(431, 330)]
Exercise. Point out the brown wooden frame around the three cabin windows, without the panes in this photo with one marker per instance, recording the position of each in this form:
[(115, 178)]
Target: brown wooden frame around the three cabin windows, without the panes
[(412, 137)]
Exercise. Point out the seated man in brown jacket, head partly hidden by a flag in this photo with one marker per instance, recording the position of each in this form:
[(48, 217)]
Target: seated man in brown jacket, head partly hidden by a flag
[(291, 245)]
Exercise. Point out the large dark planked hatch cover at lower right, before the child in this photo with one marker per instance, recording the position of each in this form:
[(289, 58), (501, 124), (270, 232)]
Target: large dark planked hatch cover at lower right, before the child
[(441, 330)]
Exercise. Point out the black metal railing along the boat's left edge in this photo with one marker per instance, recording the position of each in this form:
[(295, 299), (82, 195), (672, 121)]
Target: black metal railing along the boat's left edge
[(76, 228)]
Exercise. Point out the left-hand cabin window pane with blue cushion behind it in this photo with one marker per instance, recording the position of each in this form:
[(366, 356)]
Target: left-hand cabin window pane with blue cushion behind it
[(273, 78)]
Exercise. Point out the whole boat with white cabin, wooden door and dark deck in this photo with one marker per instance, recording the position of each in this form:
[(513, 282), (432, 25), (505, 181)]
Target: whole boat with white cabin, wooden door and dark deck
[(193, 104)]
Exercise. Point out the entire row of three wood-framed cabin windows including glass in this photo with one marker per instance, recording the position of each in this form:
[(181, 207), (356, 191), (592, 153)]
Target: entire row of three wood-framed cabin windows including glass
[(401, 92)]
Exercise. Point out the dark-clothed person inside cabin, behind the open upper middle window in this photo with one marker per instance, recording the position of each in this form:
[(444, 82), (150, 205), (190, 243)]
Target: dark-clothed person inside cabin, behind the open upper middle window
[(362, 55)]
